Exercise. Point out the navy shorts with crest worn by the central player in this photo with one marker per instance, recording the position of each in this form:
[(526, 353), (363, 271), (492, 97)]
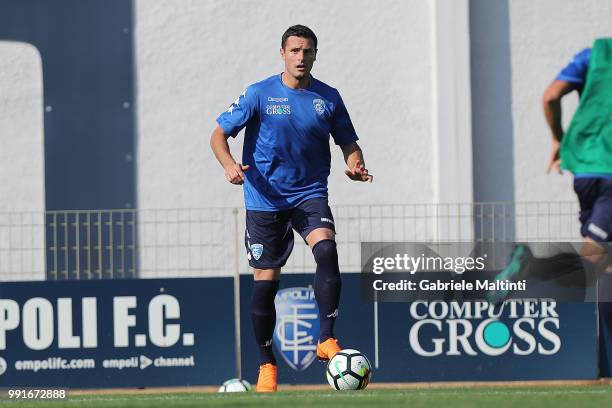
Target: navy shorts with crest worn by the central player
[(268, 237)]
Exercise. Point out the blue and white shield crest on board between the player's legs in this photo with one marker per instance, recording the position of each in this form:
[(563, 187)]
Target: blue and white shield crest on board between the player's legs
[(297, 326)]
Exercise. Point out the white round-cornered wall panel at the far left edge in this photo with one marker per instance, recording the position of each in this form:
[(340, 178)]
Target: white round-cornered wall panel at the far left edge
[(22, 197)]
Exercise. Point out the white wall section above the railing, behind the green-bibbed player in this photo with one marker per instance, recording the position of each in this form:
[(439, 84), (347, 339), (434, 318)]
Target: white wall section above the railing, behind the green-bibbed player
[(544, 36)]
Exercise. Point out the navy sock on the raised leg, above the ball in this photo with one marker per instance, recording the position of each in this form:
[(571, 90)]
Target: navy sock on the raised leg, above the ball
[(327, 286)]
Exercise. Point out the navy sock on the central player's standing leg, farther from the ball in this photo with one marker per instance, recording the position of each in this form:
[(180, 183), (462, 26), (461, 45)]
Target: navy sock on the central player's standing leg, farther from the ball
[(263, 316)]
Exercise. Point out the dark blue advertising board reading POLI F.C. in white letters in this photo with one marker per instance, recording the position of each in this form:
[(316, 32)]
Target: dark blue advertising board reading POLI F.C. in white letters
[(117, 333)]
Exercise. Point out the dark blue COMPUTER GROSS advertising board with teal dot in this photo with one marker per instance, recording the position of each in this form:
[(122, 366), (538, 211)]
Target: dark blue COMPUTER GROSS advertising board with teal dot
[(522, 339)]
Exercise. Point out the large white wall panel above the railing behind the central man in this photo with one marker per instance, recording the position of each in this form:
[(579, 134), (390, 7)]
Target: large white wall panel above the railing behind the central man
[(195, 57)]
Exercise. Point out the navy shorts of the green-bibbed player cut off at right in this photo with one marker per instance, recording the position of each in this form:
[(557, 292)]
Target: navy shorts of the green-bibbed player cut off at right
[(595, 196)]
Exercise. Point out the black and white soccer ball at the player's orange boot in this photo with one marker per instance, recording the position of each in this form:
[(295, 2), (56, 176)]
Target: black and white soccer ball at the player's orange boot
[(349, 370)]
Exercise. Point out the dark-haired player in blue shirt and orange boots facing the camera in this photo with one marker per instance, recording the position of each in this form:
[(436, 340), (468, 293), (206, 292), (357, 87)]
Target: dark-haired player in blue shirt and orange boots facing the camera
[(285, 164)]
